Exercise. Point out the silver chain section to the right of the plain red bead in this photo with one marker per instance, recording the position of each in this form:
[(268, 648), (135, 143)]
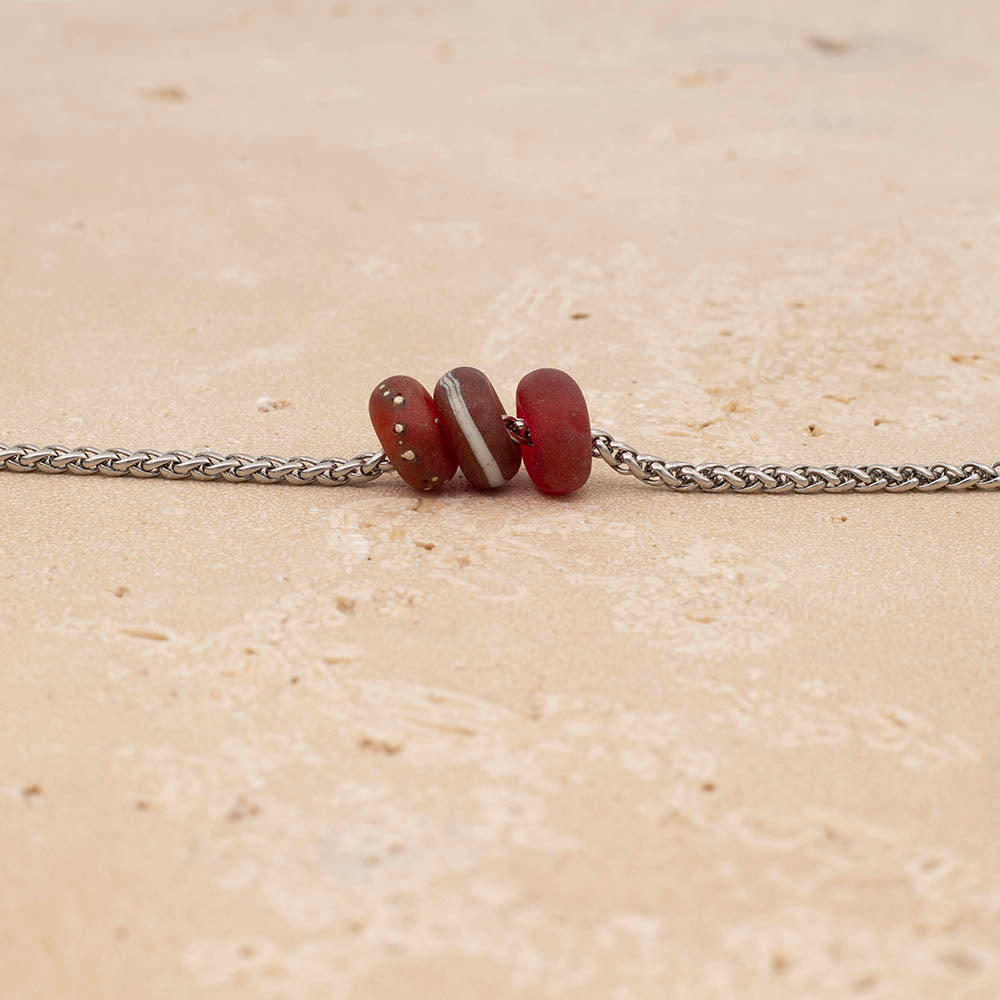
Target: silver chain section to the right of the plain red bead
[(683, 477)]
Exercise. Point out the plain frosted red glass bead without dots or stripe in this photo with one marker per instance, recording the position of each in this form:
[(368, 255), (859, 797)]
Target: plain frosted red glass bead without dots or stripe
[(552, 406)]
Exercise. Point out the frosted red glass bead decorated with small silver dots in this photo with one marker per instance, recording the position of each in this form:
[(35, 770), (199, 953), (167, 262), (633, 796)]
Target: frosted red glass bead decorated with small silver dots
[(407, 425)]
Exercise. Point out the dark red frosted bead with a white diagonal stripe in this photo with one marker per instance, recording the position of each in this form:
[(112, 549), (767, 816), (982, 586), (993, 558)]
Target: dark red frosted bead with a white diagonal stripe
[(472, 421)]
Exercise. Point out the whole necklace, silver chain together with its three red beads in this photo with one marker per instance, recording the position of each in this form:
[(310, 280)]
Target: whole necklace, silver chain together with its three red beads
[(426, 438)]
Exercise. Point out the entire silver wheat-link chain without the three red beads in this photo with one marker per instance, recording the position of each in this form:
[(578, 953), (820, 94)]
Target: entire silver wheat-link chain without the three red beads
[(680, 477)]
